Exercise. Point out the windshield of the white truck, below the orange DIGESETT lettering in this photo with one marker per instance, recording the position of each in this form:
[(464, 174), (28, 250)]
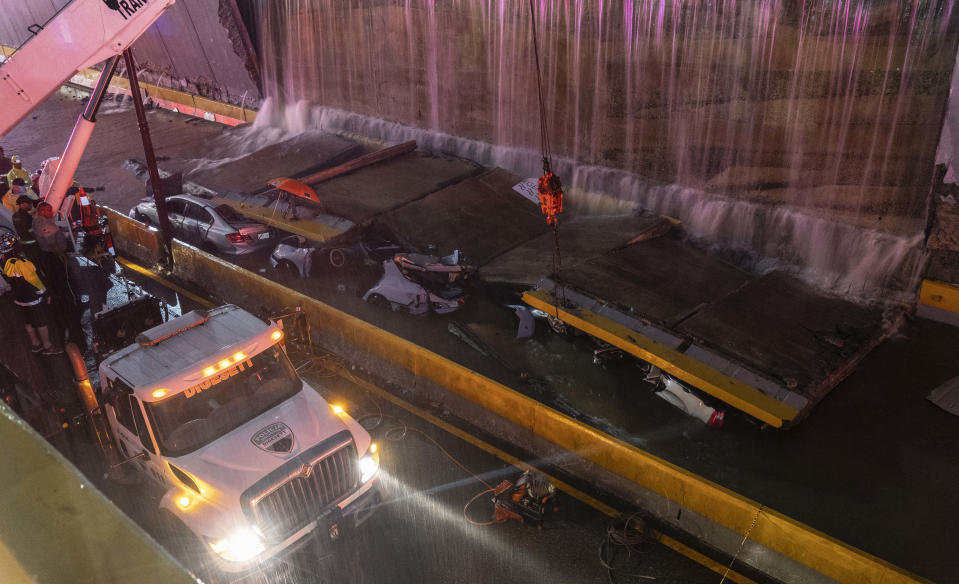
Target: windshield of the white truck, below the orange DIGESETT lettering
[(222, 402)]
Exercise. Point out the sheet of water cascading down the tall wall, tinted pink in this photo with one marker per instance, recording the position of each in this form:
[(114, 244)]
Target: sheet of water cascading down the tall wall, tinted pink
[(799, 131)]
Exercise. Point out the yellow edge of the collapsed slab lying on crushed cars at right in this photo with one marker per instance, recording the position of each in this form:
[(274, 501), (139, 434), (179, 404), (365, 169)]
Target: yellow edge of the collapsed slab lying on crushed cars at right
[(732, 391)]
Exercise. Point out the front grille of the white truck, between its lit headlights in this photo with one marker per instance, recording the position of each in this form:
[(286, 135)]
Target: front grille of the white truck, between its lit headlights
[(309, 488)]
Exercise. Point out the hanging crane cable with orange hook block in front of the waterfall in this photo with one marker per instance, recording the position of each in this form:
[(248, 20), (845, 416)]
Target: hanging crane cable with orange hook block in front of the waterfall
[(549, 186)]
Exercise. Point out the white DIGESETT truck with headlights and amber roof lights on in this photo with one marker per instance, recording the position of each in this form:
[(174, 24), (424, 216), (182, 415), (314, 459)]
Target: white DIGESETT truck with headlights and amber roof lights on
[(249, 457)]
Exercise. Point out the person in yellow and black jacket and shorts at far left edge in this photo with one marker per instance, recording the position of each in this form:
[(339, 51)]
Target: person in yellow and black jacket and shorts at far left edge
[(29, 294)]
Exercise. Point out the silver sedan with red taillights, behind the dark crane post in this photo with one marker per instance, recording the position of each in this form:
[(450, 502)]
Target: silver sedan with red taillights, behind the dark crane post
[(217, 229)]
